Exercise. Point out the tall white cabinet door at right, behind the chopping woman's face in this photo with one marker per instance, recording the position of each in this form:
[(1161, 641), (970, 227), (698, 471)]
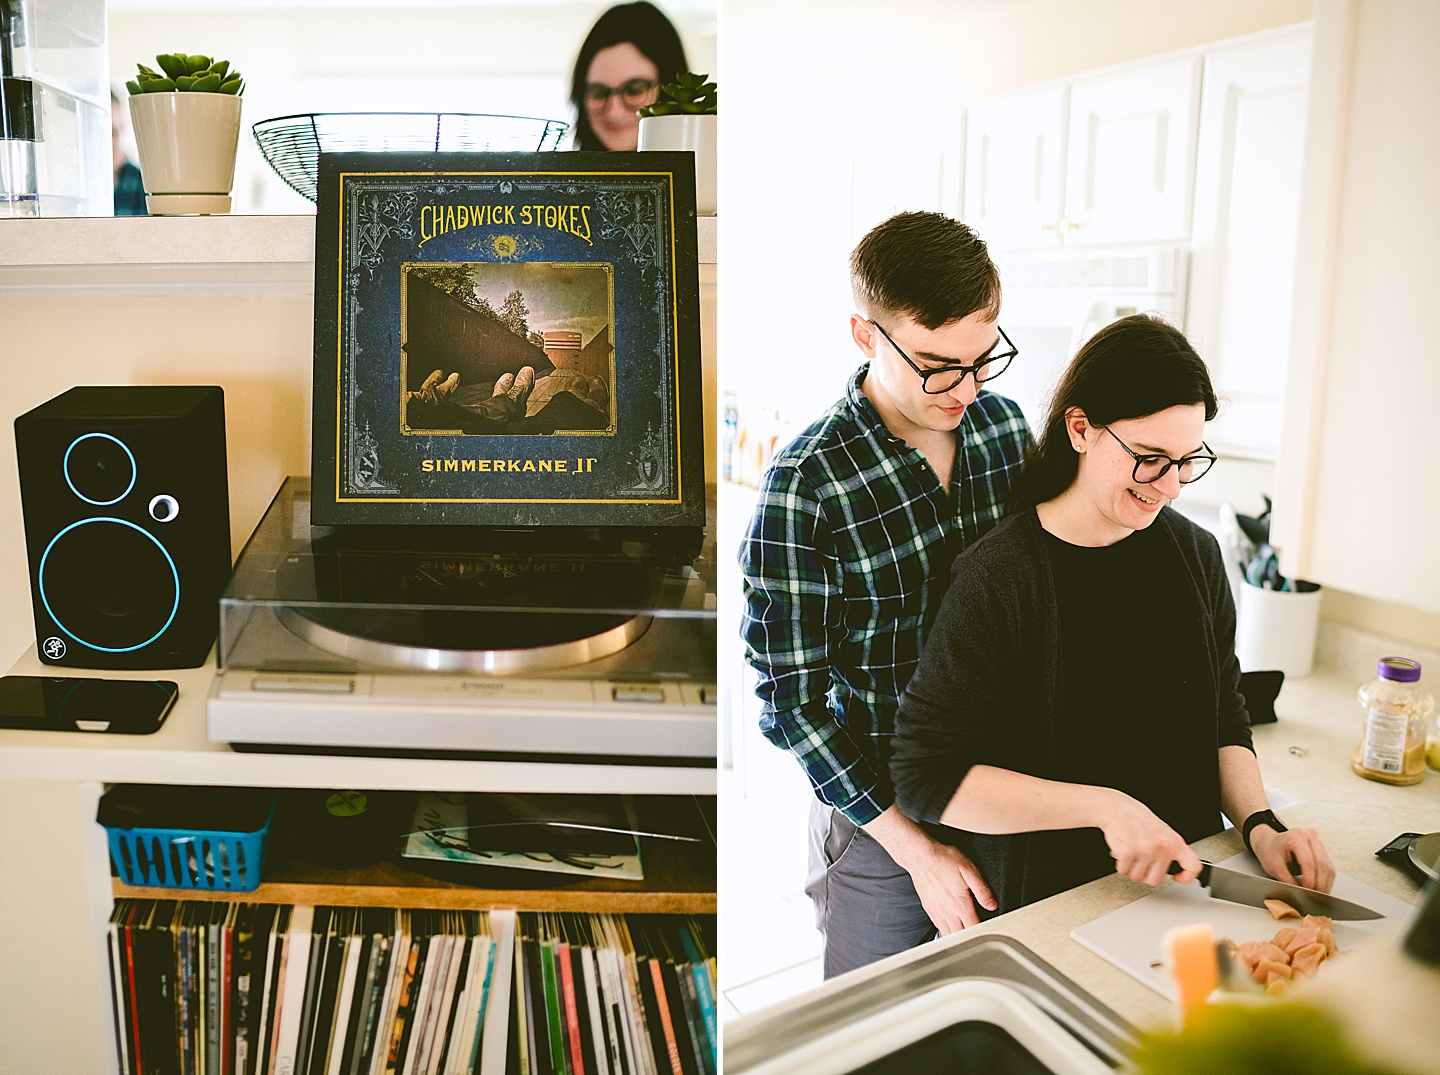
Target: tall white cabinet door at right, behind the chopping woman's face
[(1248, 196)]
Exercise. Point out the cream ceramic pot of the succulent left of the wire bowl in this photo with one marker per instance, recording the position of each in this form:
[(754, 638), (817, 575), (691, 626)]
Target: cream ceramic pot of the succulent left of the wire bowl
[(186, 146)]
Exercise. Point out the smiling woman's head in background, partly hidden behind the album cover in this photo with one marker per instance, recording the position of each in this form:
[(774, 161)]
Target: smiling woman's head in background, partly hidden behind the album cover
[(626, 58)]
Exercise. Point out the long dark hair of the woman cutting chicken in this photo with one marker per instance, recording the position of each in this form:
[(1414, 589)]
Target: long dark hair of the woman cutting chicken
[(1130, 369)]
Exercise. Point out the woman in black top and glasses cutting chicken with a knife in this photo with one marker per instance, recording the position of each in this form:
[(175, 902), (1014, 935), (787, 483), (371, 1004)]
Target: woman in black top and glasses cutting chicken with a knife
[(1076, 709)]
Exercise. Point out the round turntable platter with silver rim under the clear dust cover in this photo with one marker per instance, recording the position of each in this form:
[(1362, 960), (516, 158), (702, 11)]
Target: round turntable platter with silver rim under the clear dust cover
[(463, 641)]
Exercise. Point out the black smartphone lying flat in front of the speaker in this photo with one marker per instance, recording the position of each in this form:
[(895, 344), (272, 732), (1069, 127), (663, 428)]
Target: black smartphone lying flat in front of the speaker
[(126, 707)]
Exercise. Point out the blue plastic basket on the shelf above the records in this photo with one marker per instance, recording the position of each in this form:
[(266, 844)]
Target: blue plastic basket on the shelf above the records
[(191, 858)]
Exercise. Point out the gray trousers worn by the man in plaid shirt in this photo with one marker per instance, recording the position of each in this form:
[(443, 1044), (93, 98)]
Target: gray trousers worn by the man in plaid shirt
[(866, 906)]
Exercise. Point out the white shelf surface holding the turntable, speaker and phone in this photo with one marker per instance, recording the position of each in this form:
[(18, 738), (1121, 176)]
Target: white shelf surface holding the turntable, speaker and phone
[(182, 753)]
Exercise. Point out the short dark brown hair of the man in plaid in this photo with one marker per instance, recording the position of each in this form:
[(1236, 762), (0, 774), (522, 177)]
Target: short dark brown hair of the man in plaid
[(925, 267)]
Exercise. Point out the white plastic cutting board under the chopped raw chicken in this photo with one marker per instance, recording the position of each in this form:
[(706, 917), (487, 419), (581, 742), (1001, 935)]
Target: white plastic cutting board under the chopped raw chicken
[(1134, 936)]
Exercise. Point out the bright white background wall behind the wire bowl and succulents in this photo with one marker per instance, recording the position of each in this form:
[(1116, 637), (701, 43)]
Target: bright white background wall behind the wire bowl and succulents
[(508, 57)]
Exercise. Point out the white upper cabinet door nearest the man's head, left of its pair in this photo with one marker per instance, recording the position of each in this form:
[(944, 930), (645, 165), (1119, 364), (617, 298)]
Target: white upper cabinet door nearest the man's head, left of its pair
[(1013, 169)]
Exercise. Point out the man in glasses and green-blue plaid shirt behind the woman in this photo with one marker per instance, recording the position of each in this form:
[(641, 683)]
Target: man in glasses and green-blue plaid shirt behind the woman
[(846, 562)]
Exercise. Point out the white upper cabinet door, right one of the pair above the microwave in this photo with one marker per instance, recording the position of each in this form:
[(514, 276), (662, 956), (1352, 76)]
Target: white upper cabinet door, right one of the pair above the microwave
[(1131, 155)]
